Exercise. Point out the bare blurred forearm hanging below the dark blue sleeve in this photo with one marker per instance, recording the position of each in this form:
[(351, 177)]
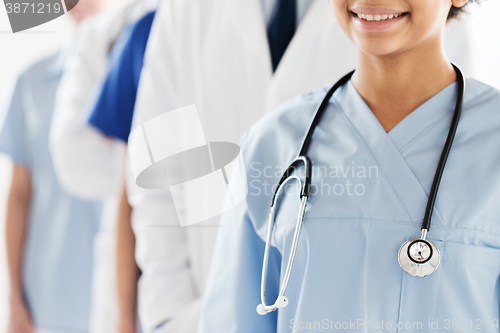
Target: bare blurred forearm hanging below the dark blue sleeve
[(127, 269)]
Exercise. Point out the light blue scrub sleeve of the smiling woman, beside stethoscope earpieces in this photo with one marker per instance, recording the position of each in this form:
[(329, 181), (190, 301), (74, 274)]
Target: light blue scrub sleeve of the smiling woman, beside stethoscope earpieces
[(233, 288)]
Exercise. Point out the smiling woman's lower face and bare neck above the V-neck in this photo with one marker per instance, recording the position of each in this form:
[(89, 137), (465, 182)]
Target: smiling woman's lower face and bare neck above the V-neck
[(394, 48)]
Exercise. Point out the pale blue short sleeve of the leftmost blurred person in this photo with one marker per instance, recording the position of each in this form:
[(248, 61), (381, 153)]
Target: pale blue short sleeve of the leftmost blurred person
[(13, 129)]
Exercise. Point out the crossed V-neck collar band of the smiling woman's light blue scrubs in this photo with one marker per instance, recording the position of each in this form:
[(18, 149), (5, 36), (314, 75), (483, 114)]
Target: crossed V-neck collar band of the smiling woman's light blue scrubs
[(384, 147)]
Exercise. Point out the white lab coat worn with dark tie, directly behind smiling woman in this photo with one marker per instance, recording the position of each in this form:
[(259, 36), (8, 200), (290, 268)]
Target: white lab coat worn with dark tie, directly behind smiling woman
[(215, 54)]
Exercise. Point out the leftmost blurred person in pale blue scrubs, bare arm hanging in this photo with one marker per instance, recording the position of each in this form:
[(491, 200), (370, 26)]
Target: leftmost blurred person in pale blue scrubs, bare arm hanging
[(49, 233)]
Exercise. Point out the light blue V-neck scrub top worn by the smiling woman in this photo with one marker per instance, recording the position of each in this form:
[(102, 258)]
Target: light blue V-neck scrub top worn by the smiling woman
[(369, 193)]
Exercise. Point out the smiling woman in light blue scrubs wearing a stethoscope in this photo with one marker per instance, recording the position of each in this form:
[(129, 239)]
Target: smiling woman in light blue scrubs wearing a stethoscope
[(412, 113)]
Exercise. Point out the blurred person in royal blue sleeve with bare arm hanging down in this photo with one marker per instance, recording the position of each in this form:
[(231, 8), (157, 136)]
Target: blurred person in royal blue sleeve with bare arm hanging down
[(112, 115)]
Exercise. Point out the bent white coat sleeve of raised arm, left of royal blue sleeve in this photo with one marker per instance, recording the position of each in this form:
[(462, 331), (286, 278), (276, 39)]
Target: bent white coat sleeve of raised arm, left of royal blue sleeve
[(87, 161)]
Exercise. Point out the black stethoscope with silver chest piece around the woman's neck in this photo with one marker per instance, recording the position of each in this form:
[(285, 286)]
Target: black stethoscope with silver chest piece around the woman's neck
[(418, 257)]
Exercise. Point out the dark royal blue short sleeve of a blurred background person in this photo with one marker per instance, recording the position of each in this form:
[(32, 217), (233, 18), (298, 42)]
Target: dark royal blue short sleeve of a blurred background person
[(114, 109)]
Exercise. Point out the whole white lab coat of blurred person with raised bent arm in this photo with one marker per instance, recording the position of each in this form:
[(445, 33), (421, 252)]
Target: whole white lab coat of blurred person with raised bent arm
[(88, 164)]
